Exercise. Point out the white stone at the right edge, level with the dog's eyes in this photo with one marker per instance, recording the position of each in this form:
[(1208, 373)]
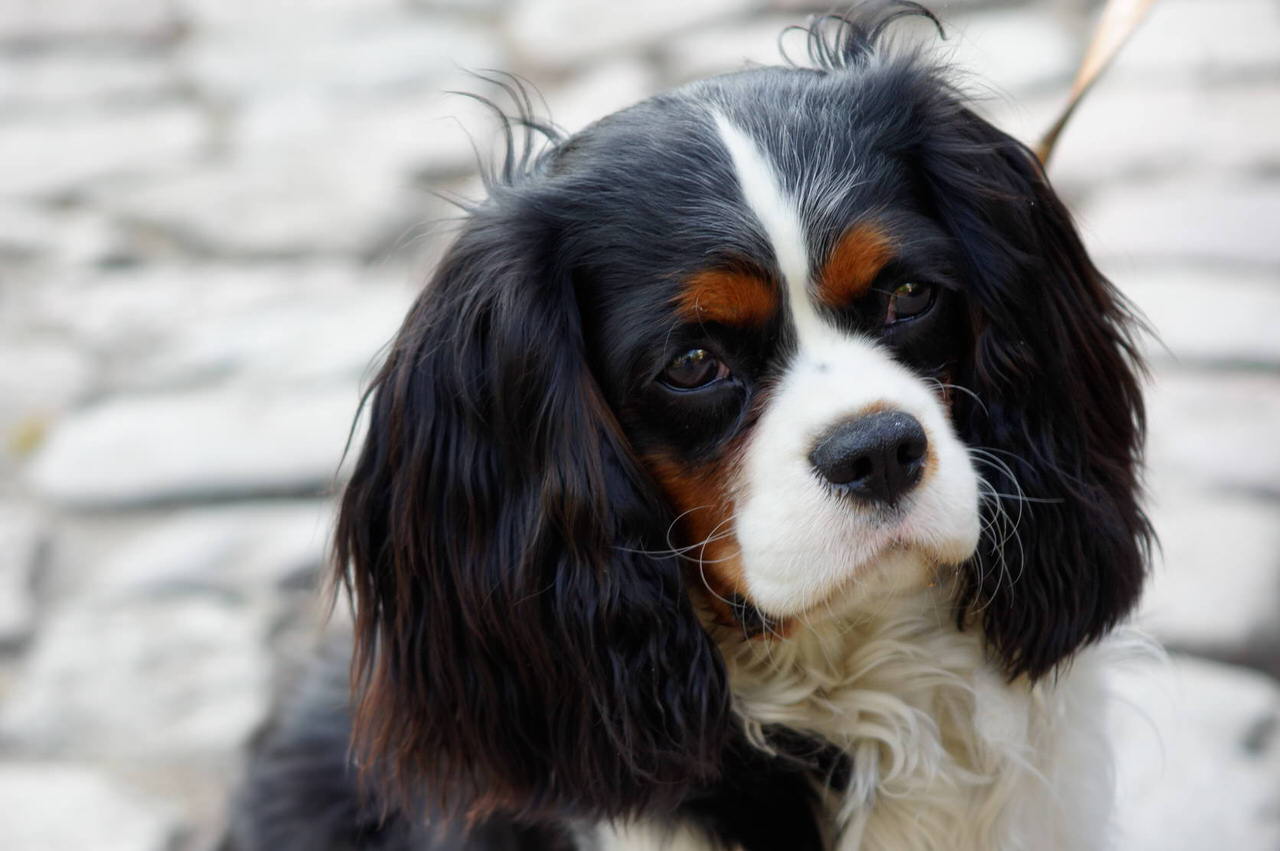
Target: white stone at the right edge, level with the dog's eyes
[(1208, 315)]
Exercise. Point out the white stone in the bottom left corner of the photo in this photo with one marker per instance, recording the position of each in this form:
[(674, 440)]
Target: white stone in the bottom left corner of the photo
[(65, 807)]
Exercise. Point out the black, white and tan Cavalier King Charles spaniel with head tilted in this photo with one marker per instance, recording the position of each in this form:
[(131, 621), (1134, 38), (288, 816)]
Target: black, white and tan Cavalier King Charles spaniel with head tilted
[(758, 470)]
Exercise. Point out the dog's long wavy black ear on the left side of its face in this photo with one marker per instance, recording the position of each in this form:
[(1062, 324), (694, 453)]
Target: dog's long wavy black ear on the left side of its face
[(519, 648)]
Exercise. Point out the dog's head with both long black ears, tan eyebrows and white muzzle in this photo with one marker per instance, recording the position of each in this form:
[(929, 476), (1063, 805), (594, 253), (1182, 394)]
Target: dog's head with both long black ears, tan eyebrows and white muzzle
[(776, 345)]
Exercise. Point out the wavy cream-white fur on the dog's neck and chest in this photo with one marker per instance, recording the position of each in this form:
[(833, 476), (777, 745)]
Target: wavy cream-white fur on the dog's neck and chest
[(943, 751)]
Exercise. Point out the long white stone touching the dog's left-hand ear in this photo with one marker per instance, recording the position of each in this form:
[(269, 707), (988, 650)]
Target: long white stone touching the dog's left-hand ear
[(239, 441)]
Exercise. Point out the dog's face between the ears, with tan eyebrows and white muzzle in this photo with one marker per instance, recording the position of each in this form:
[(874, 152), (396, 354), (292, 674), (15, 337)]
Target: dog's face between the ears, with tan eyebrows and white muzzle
[(775, 314)]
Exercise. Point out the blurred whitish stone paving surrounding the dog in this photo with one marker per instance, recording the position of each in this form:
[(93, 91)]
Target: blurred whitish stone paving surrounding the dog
[(213, 214)]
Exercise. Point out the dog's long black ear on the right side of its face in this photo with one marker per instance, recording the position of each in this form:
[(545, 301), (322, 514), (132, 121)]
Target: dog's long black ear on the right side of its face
[(1057, 415)]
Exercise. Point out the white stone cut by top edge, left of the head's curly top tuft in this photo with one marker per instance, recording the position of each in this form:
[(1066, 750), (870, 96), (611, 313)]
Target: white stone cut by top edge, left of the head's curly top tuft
[(563, 34)]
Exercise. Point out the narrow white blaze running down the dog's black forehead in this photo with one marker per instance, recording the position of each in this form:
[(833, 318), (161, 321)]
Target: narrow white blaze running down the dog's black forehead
[(778, 214)]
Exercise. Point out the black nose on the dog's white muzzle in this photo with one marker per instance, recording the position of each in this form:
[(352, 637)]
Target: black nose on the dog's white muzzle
[(877, 457)]
